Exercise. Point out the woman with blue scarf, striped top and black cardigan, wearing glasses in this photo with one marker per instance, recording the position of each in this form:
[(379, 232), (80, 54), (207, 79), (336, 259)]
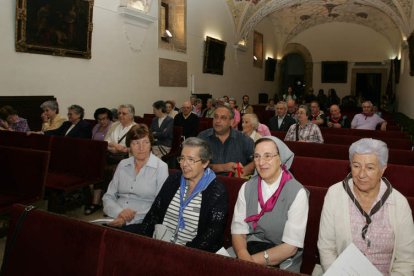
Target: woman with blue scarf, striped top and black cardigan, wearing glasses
[(191, 207)]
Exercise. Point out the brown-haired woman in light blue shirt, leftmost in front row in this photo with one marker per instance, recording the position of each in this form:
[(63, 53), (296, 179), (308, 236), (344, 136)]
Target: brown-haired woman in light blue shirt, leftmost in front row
[(136, 182)]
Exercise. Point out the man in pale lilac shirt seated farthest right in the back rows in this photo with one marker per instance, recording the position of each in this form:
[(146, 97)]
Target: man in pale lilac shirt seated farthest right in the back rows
[(368, 119)]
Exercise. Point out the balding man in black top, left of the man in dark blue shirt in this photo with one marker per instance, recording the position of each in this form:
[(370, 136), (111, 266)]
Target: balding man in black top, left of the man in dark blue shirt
[(187, 120)]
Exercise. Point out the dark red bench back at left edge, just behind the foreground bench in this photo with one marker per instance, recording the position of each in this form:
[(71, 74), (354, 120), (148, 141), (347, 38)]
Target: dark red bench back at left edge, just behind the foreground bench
[(23, 175)]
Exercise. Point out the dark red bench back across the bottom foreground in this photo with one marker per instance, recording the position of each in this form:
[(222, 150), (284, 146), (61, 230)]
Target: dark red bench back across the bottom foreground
[(50, 244)]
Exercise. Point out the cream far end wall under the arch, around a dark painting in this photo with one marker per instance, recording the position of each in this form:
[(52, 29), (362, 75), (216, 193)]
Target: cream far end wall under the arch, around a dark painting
[(343, 42)]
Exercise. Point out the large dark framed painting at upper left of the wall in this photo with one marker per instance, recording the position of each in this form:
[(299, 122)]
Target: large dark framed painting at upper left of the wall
[(60, 28)]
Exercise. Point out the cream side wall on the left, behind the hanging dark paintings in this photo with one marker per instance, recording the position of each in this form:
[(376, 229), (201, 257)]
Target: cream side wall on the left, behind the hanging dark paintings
[(124, 64)]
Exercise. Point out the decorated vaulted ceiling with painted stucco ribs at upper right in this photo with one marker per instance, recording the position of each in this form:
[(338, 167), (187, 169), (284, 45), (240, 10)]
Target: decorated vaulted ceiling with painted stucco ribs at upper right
[(391, 18)]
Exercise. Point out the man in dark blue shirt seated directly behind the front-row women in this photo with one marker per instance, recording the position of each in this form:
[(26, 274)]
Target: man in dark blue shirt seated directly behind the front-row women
[(232, 150)]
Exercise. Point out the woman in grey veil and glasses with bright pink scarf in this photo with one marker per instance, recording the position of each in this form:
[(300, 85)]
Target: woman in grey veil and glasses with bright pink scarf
[(271, 212)]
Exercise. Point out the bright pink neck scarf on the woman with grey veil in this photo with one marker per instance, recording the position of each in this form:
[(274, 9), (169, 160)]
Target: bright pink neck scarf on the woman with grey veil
[(271, 202)]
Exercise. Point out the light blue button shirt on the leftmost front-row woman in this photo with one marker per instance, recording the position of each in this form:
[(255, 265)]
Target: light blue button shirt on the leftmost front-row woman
[(135, 191)]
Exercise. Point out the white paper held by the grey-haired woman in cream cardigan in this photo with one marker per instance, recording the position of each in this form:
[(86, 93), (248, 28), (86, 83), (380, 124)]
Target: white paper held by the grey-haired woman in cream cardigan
[(352, 262)]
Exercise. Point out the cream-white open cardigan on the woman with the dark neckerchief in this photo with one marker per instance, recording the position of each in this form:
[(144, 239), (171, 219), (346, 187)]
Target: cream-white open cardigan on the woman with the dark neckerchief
[(335, 229)]
